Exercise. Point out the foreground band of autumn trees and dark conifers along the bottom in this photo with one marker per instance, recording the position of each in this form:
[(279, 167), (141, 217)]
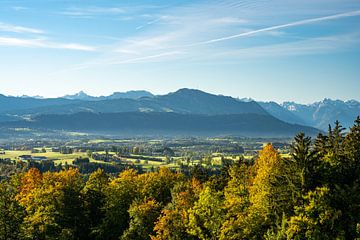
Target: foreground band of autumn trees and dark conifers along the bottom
[(314, 194)]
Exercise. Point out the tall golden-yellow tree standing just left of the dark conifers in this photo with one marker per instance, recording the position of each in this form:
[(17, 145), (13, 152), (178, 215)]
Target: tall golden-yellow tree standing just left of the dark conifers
[(269, 194)]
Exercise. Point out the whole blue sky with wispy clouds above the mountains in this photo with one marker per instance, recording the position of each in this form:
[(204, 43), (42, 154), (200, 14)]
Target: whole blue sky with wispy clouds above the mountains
[(277, 50)]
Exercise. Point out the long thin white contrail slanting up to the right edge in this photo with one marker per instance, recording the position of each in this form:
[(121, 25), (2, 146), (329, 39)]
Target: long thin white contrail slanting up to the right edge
[(292, 24)]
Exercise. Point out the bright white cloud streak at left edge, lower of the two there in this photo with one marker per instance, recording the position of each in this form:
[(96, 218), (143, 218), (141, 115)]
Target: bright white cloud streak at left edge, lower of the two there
[(42, 43)]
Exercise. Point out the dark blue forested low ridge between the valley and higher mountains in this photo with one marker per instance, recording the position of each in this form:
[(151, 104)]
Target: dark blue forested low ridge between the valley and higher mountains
[(167, 124)]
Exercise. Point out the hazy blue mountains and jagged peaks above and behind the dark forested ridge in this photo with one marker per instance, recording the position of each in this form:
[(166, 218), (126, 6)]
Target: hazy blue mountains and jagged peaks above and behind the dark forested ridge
[(183, 101)]
